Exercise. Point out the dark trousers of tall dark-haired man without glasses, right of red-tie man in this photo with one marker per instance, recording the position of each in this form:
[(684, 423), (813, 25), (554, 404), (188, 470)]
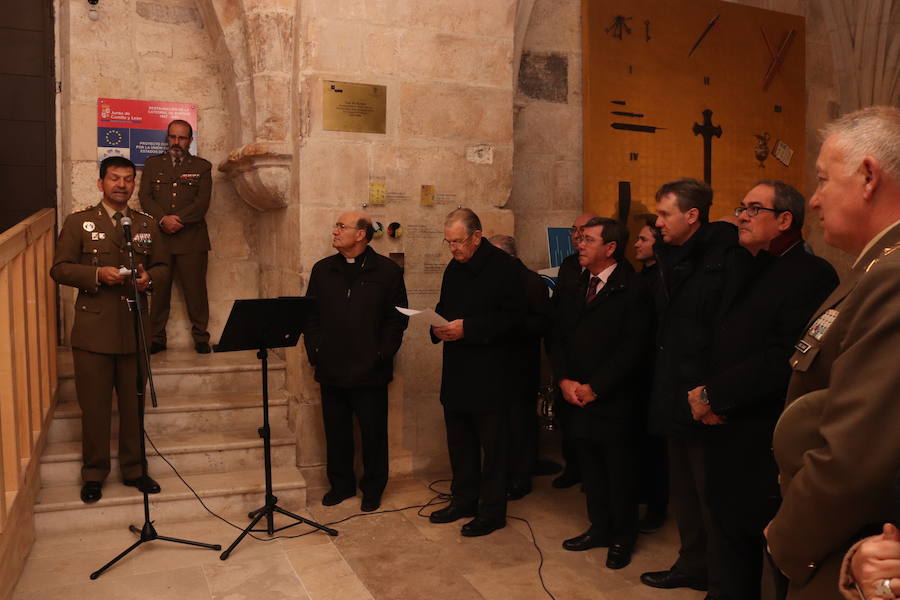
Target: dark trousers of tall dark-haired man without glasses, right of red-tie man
[(698, 555)]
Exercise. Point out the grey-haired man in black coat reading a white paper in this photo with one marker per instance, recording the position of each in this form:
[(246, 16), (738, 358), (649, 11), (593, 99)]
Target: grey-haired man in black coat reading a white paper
[(483, 298)]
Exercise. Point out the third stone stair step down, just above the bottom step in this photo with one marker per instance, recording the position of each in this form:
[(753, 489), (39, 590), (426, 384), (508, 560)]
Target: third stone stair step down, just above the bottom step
[(190, 452)]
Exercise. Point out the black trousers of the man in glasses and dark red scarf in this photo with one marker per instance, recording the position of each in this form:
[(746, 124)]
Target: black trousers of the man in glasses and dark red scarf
[(741, 502)]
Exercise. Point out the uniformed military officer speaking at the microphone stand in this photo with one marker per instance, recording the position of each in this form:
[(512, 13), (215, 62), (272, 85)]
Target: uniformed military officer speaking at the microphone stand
[(90, 254)]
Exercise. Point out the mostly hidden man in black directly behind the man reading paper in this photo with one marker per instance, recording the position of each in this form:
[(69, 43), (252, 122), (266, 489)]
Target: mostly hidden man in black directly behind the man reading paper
[(523, 423)]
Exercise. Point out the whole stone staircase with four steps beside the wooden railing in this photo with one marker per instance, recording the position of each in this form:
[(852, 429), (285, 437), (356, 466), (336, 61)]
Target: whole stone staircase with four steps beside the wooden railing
[(206, 425)]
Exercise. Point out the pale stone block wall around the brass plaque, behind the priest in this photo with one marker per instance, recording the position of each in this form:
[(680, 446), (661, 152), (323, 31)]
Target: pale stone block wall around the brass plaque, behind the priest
[(447, 66)]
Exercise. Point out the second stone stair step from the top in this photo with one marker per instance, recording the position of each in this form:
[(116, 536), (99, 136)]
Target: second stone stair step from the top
[(207, 412)]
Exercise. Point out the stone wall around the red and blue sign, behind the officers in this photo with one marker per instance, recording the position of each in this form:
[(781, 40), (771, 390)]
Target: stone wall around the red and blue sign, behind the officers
[(151, 50)]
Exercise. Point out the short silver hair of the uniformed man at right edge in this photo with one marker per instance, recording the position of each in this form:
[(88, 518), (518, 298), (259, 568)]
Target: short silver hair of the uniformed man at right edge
[(872, 131)]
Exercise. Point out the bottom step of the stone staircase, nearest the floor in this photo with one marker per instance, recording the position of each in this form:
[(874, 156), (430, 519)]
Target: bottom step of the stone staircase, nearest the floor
[(233, 494)]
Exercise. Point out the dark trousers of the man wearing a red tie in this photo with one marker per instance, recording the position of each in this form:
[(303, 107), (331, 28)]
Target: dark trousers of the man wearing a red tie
[(609, 469)]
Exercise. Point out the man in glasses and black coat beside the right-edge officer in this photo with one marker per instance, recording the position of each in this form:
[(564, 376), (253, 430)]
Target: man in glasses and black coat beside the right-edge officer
[(748, 379)]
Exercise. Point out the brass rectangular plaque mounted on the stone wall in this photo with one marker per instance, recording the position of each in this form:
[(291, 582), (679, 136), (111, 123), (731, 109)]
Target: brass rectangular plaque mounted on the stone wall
[(358, 107)]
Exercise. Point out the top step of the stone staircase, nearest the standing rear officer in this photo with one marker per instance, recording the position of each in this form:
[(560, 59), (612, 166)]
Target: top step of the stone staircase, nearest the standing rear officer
[(183, 372)]
